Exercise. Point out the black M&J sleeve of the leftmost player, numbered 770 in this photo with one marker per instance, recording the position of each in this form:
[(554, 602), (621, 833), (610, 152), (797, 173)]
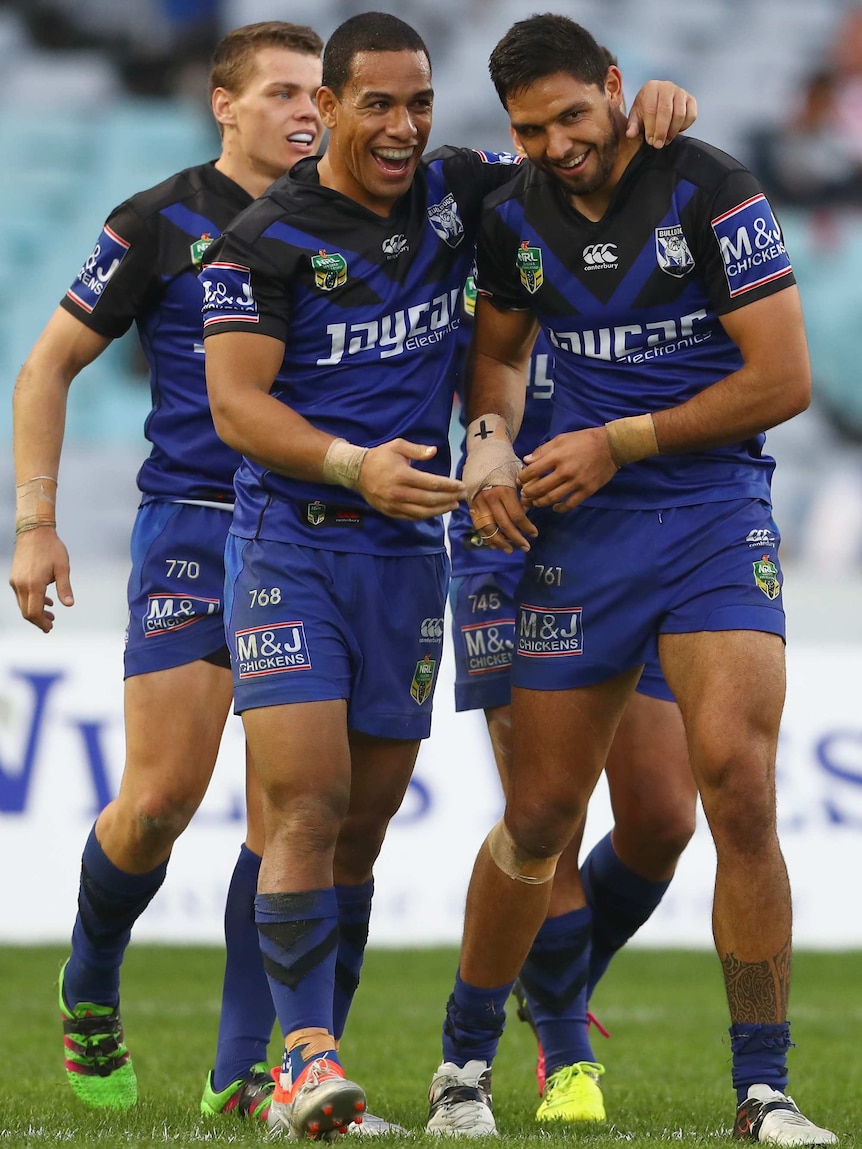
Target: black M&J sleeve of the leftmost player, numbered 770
[(119, 277)]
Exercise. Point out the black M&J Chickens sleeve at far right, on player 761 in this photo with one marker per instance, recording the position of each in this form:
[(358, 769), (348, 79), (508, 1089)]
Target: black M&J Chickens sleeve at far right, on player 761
[(743, 256)]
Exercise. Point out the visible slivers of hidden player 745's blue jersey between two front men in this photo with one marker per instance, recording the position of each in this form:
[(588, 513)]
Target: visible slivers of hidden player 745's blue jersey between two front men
[(467, 558)]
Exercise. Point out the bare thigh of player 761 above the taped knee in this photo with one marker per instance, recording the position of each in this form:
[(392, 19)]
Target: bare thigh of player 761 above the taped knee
[(560, 744)]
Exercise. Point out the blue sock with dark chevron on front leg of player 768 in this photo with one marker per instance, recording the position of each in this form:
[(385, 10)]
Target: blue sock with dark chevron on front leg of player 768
[(299, 942)]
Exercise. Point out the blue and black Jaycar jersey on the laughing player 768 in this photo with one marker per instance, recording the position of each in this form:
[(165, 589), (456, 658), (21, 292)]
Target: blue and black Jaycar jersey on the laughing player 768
[(368, 310)]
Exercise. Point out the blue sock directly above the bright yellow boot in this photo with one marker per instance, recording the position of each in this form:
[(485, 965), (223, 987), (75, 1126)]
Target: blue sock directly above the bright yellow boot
[(555, 980)]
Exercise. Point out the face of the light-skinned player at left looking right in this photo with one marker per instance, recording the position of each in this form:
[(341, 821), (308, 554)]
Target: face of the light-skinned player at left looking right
[(273, 122)]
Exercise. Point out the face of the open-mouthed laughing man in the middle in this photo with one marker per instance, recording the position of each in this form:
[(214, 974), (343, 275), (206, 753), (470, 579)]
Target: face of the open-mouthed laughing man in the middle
[(379, 128)]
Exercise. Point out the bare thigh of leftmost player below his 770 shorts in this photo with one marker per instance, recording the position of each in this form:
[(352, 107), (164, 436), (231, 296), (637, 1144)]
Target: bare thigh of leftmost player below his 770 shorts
[(174, 726)]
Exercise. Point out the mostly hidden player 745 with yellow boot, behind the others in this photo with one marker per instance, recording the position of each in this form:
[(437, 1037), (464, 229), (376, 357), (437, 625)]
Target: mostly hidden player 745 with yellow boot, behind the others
[(652, 793)]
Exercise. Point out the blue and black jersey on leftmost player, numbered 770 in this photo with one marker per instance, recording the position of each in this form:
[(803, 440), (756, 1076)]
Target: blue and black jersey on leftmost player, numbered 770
[(144, 271)]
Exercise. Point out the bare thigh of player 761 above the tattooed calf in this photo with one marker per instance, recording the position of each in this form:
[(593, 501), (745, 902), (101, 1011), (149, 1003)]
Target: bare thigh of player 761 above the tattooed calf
[(730, 687)]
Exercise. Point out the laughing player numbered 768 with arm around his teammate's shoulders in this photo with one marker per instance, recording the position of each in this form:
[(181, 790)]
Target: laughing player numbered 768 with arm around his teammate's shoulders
[(330, 315)]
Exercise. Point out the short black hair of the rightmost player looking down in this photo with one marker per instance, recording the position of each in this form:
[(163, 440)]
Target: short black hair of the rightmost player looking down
[(544, 45)]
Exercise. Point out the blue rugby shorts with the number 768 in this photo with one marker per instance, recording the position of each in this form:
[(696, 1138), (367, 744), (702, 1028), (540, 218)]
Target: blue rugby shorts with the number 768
[(309, 626)]
